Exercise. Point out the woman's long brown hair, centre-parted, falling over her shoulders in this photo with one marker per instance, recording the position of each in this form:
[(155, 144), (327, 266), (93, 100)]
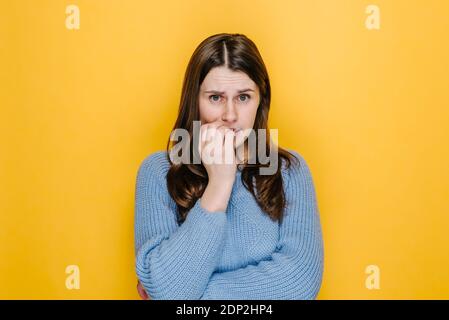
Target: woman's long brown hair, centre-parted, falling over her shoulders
[(187, 182)]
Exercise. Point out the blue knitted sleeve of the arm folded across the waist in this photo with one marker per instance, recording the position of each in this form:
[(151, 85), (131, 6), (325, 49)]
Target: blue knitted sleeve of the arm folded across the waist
[(294, 270)]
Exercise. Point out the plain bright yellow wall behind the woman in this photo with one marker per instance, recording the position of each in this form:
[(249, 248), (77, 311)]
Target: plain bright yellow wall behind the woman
[(80, 109)]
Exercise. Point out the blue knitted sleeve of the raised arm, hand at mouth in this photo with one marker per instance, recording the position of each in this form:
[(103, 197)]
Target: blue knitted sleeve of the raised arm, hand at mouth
[(172, 262)]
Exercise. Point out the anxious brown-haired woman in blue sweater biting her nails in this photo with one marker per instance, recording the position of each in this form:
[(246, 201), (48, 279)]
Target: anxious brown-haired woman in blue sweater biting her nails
[(223, 230)]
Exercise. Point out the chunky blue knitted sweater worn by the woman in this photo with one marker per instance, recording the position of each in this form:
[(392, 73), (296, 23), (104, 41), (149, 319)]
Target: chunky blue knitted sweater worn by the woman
[(237, 254)]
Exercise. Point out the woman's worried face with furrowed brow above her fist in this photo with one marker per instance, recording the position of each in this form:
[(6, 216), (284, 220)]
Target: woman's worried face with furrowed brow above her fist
[(229, 97)]
